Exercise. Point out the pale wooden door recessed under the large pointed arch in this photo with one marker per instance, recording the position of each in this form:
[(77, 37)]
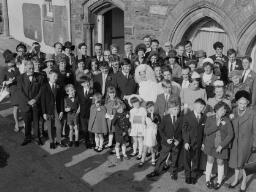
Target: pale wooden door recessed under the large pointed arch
[(204, 33)]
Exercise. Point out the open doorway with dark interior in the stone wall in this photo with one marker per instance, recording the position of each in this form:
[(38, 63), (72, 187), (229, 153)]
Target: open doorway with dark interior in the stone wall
[(107, 19)]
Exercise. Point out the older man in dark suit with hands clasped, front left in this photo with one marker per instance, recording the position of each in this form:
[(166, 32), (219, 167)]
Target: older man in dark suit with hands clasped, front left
[(30, 87)]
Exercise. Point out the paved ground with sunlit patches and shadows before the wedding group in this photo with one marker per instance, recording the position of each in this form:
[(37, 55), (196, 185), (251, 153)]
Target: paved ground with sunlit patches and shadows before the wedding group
[(38, 169)]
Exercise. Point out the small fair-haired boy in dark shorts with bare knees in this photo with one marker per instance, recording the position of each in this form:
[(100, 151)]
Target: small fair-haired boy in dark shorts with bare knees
[(72, 109)]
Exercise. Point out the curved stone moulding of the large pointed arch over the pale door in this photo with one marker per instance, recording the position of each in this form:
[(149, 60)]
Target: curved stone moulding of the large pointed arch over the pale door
[(175, 28)]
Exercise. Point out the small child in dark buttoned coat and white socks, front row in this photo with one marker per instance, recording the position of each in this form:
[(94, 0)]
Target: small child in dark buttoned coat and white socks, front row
[(122, 125)]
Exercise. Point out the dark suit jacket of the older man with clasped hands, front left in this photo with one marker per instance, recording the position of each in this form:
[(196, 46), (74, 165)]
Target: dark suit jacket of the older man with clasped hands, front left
[(29, 90)]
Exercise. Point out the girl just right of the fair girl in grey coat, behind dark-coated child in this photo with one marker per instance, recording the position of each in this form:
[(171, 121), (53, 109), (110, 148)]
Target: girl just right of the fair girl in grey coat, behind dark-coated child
[(110, 103)]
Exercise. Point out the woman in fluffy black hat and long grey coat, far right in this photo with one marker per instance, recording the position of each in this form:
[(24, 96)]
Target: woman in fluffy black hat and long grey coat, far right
[(244, 143)]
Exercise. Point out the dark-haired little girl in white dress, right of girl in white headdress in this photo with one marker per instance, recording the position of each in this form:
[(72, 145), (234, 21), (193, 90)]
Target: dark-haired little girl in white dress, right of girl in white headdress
[(150, 133)]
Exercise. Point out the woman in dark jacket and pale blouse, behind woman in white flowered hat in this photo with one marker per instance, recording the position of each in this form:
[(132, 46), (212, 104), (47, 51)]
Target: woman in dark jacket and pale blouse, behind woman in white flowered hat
[(208, 78)]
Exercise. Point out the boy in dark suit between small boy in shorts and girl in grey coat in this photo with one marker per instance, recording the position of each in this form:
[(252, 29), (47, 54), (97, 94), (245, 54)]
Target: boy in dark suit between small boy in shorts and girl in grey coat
[(85, 93)]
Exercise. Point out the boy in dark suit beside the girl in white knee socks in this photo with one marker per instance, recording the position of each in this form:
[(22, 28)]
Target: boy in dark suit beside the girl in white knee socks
[(192, 133)]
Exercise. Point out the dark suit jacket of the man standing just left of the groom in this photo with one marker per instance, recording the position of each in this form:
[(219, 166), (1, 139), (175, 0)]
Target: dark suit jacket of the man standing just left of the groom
[(98, 82)]
